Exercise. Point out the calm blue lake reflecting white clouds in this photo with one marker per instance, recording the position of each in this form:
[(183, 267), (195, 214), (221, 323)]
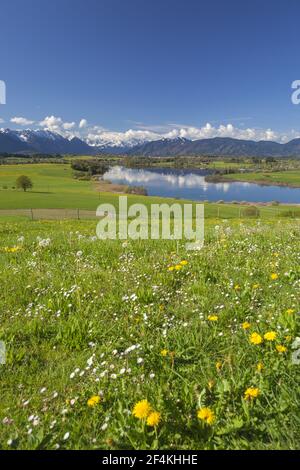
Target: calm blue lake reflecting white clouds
[(191, 184)]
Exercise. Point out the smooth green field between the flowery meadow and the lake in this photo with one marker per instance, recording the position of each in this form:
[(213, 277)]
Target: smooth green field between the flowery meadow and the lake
[(55, 188)]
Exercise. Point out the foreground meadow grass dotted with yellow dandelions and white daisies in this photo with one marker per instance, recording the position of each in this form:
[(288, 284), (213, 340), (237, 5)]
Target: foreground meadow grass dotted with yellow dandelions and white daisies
[(86, 318)]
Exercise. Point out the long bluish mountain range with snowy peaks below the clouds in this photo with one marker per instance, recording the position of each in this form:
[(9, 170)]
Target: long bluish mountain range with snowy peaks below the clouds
[(47, 142)]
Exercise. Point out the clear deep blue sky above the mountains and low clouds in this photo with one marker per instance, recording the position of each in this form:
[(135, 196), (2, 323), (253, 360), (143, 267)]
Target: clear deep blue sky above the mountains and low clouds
[(159, 67)]
